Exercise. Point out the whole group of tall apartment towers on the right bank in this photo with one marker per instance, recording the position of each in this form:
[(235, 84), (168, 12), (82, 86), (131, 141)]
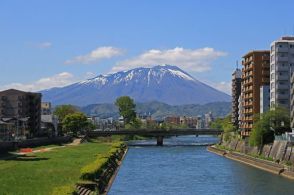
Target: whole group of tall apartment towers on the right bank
[(265, 81)]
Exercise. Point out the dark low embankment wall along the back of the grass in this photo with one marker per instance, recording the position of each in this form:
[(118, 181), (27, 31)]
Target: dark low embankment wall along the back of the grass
[(8, 146)]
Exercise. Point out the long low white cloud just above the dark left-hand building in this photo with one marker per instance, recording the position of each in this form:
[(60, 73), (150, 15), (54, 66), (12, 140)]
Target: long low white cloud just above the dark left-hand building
[(58, 80)]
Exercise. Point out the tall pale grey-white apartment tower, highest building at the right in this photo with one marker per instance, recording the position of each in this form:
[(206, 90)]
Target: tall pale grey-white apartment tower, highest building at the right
[(281, 66)]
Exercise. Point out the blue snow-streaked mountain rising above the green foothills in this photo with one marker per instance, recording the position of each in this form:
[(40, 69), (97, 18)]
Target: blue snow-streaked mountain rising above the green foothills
[(168, 84)]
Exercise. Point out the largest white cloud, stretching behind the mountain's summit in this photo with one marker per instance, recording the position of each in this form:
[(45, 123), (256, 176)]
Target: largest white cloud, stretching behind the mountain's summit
[(196, 60)]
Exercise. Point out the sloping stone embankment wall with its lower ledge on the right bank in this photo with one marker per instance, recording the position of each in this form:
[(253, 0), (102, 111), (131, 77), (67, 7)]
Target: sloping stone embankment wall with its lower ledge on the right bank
[(280, 152)]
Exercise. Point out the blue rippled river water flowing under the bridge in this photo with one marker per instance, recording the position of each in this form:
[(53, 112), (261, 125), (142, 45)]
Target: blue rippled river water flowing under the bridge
[(182, 167)]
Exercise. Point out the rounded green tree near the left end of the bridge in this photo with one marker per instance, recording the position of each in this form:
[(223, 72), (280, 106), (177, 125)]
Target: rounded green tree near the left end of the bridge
[(75, 123)]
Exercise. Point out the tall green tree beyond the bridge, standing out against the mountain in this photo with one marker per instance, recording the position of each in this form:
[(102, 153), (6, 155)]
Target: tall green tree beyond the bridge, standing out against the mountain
[(126, 107)]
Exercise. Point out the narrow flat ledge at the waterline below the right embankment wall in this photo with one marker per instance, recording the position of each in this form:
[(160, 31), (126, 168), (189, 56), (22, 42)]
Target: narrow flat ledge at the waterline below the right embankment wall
[(262, 164)]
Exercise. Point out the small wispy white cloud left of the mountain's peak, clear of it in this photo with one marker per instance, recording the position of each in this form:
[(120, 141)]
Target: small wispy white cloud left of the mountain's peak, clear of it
[(96, 55)]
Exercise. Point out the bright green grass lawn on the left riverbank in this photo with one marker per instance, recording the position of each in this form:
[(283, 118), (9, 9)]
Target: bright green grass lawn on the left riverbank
[(43, 173)]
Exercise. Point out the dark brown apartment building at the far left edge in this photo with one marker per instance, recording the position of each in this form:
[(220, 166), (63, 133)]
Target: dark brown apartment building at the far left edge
[(19, 105)]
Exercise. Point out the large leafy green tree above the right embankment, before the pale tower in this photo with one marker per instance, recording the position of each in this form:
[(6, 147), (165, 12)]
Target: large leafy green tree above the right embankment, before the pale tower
[(269, 124)]
